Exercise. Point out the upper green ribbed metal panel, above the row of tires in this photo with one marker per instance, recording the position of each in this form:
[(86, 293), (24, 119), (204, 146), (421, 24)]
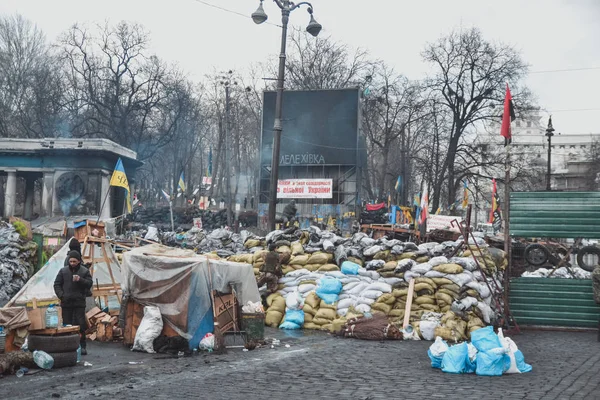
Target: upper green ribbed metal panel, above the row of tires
[(555, 214)]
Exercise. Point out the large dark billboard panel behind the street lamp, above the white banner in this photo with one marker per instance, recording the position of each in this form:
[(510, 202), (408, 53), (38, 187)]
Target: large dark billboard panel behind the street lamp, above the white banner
[(320, 127)]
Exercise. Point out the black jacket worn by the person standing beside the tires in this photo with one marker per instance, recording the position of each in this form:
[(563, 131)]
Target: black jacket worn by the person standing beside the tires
[(70, 293)]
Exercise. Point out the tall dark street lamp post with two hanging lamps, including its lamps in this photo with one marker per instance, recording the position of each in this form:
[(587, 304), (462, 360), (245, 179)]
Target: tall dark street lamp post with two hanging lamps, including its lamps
[(259, 16)]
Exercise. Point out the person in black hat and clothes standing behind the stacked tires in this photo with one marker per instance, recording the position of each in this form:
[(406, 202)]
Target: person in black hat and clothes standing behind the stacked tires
[(71, 286)]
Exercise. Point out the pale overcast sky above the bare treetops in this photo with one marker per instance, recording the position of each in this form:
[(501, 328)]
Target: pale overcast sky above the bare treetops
[(551, 35)]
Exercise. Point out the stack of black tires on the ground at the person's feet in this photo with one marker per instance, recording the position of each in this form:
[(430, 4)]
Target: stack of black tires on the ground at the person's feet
[(62, 348)]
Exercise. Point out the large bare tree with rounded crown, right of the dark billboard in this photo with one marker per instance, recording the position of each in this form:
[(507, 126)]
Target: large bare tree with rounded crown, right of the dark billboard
[(470, 79)]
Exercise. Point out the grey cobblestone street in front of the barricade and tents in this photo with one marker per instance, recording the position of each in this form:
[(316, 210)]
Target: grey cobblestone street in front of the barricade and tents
[(565, 365)]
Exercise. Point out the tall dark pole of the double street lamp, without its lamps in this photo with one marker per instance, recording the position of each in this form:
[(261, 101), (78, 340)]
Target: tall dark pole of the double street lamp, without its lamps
[(278, 127)]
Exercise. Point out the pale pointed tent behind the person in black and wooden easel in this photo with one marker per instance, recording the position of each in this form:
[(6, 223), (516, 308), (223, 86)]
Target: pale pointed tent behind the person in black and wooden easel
[(41, 285)]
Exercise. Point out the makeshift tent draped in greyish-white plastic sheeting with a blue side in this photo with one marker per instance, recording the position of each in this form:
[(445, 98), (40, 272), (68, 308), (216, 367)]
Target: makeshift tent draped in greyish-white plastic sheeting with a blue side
[(179, 282)]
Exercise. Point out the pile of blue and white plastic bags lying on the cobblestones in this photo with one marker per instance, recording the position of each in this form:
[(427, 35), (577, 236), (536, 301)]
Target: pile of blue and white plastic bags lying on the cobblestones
[(488, 354)]
